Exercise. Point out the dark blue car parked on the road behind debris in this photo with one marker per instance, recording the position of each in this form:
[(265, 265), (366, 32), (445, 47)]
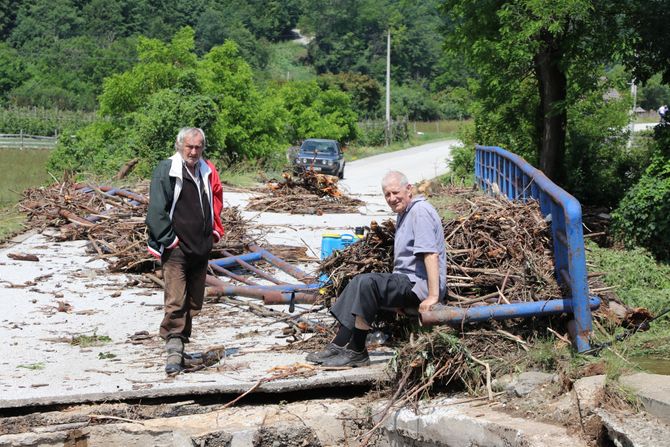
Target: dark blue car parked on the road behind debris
[(320, 155)]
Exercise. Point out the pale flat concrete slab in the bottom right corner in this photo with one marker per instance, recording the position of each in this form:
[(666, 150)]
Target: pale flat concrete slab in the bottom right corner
[(654, 392)]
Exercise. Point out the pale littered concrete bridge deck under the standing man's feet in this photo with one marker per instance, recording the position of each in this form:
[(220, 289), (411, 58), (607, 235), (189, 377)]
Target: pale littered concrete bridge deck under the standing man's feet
[(41, 363)]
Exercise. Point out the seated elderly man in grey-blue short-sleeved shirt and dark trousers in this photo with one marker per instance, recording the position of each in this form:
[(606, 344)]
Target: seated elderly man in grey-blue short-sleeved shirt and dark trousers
[(419, 276)]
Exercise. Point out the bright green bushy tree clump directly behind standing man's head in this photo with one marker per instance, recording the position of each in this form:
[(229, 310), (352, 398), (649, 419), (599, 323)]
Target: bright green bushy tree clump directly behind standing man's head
[(170, 87)]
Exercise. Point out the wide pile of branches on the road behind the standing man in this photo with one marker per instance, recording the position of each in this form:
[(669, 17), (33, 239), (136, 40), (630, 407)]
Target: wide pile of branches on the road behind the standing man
[(112, 223)]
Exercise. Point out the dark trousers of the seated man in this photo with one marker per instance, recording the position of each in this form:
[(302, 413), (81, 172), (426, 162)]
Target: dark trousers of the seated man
[(367, 293)]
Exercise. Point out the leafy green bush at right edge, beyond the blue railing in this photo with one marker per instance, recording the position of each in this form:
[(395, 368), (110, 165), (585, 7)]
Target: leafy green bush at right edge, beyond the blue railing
[(642, 216)]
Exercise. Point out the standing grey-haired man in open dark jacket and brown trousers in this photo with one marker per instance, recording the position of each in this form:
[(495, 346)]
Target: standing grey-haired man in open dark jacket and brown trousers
[(184, 220)]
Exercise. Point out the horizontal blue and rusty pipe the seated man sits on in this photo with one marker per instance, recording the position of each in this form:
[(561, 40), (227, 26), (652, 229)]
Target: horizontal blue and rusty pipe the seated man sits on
[(457, 316)]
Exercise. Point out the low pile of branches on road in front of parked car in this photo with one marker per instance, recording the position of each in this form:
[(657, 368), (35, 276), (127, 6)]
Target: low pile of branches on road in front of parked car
[(307, 193)]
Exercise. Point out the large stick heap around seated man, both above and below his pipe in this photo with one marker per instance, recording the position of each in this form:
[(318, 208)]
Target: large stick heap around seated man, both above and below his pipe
[(498, 252)]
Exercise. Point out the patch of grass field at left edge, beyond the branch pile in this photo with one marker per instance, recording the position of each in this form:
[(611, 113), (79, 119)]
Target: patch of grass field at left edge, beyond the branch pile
[(21, 169)]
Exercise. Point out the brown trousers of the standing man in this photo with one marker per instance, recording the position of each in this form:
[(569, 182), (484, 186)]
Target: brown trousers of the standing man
[(184, 292)]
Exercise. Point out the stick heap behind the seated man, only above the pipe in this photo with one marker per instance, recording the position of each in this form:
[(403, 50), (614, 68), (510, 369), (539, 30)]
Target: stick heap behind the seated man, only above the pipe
[(496, 253)]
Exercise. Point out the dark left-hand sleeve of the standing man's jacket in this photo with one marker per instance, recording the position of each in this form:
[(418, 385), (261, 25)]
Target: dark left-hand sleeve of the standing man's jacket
[(161, 233)]
